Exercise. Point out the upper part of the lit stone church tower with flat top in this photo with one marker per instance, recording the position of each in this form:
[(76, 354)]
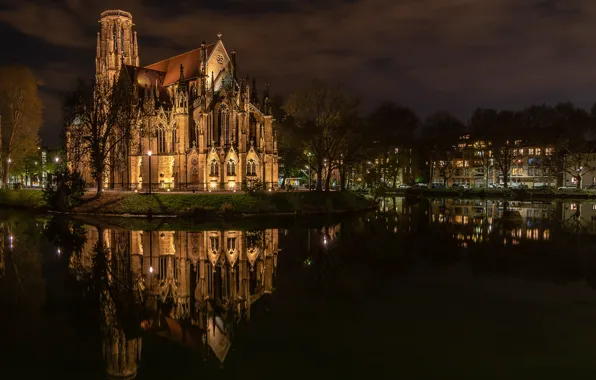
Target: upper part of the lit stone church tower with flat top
[(116, 44)]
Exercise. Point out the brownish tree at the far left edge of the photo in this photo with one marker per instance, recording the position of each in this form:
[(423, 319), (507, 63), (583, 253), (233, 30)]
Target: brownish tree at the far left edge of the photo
[(20, 109)]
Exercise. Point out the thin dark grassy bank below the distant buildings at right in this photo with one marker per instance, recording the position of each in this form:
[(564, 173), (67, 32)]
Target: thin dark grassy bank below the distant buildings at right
[(517, 194)]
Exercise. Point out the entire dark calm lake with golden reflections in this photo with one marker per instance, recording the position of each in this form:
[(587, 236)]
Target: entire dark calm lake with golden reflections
[(419, 289)]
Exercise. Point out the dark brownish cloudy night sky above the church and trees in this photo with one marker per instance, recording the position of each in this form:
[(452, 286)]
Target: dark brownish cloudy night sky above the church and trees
[(453, 55)]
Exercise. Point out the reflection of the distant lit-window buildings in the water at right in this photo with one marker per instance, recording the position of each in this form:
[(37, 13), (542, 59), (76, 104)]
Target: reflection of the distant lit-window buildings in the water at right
[(475, 221)]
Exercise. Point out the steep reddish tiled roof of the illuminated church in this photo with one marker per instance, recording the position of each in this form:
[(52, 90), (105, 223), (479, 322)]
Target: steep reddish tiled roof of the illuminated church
[(190, 61)]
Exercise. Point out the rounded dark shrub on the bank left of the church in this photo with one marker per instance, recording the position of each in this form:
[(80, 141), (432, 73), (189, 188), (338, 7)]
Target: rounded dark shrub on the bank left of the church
[(66, 191)]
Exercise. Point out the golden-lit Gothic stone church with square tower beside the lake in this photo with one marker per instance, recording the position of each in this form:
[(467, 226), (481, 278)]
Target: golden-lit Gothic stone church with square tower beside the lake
[(202, 127)]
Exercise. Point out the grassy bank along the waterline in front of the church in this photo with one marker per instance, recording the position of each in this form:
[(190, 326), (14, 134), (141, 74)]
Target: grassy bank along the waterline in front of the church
[(112, 203)]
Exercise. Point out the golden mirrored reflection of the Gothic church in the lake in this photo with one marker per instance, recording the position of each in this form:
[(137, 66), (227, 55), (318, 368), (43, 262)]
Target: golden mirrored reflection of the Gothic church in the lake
[(190, 287)]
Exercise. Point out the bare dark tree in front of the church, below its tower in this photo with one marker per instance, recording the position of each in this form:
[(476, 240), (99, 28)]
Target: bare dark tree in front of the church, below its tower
[(99, 118)]
